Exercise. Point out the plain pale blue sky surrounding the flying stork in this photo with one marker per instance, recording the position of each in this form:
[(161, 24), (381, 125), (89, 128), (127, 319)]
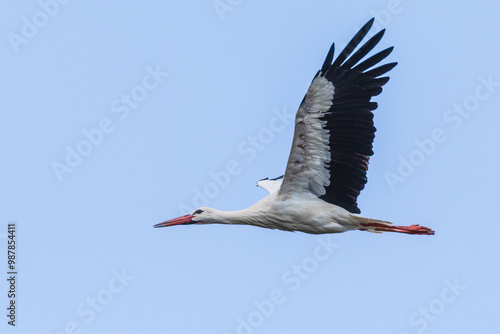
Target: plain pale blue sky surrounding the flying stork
[(189, 103)]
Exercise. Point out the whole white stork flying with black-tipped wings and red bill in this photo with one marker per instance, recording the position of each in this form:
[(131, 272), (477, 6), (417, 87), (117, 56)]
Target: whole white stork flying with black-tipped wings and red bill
[(328, 161)]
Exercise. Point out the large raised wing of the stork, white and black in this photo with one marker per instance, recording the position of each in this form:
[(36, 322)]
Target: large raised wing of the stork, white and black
[(334, 128)]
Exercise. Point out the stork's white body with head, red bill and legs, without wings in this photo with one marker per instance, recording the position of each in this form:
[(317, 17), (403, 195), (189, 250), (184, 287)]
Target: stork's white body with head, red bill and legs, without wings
[(295, 212)]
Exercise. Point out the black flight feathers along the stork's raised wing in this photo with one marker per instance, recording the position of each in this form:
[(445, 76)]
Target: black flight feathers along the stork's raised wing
[(350, 118)]
